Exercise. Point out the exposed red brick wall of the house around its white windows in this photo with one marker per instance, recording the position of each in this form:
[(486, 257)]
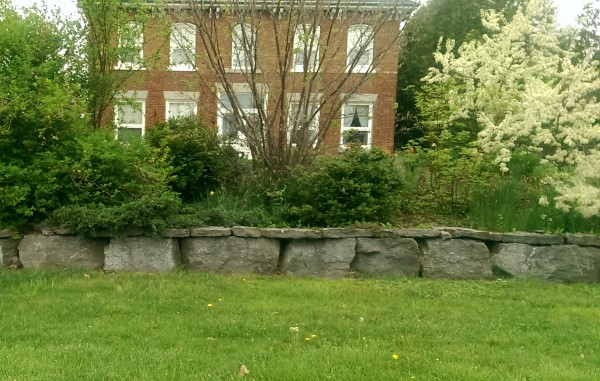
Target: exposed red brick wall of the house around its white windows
[(156, 79)]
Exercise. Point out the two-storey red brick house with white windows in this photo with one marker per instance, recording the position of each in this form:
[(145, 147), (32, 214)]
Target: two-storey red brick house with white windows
[(335, 84)]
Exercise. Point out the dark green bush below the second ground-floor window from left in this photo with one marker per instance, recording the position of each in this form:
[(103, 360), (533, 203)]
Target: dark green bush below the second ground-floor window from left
[(200, 163)]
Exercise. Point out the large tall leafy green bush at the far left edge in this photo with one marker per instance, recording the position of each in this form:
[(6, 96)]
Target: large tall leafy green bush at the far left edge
[(40, 112)]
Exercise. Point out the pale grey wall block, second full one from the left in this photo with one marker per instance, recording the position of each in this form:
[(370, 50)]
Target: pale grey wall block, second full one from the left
[(142, 254)]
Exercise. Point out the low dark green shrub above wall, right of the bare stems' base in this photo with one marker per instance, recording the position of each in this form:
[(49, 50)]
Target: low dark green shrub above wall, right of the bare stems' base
[(358, 186)]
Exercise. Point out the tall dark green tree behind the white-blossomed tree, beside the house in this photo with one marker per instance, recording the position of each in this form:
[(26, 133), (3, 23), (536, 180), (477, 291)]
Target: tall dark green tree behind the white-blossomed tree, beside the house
[(459, 20)]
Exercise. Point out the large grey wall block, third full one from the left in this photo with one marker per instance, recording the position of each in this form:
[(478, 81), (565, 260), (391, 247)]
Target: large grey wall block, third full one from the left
[(231, 255)]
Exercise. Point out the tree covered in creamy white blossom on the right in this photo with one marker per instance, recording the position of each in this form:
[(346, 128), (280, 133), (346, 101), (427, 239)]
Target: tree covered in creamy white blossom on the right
[(526, 91)]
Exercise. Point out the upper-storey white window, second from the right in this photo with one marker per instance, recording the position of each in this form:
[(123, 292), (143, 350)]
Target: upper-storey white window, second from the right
[(306, 48)]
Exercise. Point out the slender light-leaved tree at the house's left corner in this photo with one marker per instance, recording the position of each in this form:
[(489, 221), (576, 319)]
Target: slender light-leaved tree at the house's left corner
[(113, 44)]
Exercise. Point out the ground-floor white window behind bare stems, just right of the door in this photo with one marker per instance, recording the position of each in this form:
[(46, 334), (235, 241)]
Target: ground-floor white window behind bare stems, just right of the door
[(303, 122)]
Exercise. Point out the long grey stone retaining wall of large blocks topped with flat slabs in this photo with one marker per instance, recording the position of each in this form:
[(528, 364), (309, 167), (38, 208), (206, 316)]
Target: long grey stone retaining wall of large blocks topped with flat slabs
[(447, 253)]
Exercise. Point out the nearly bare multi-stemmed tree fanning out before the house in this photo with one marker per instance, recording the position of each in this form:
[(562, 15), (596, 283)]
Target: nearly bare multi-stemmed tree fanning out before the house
[(314, 56)]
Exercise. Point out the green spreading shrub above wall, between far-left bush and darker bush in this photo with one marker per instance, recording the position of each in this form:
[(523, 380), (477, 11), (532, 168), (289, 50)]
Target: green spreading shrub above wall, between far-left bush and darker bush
[(118, 186)]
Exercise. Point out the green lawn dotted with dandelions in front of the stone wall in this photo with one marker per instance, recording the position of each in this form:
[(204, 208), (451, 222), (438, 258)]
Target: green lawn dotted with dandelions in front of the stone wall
[(68, 326)]
